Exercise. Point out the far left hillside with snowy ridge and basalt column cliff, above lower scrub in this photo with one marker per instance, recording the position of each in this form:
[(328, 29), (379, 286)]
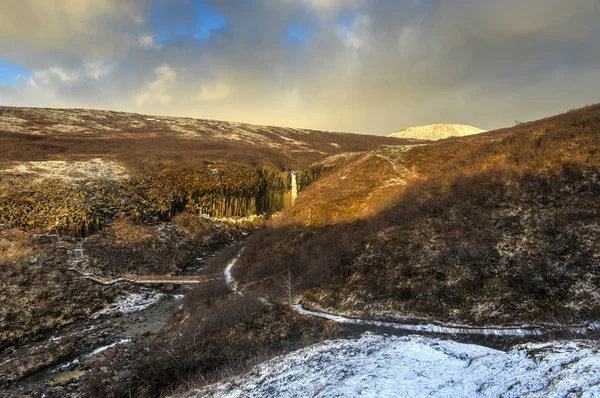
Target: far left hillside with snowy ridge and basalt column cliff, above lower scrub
[(150, 168)]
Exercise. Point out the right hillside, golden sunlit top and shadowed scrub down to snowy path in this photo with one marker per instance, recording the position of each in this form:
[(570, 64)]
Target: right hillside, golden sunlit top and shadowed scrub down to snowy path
[(497, 228)]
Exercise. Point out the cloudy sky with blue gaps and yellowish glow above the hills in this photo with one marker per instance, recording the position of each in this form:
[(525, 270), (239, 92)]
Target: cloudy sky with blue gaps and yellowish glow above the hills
[(365, 66)]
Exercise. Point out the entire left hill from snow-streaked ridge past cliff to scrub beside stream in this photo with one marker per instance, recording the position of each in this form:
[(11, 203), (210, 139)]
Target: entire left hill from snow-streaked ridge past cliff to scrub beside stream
[(136, 193)]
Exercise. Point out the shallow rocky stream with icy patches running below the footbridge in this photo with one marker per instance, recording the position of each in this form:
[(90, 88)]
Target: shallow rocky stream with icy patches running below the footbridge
[(143, 311)]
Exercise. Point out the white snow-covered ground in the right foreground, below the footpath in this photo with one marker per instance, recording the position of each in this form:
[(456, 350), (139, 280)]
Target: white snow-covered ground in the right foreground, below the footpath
[(414, 366)]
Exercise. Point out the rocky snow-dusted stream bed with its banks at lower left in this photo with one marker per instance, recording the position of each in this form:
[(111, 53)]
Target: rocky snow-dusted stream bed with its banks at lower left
[(54, 363)]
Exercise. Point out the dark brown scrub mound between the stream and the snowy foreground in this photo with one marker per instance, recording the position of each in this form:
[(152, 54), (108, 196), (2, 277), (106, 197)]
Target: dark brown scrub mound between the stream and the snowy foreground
[(216, 335)]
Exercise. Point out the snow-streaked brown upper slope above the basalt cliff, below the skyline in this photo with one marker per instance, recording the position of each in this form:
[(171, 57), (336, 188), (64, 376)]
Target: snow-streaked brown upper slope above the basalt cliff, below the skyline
[(28, 134)]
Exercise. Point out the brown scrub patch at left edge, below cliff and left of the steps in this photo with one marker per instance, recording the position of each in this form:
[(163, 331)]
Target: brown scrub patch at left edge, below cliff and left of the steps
[(37, 292)]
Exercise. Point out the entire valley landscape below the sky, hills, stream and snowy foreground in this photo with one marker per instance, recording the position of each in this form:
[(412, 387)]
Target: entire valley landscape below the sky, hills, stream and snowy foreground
[(338, 245)]
